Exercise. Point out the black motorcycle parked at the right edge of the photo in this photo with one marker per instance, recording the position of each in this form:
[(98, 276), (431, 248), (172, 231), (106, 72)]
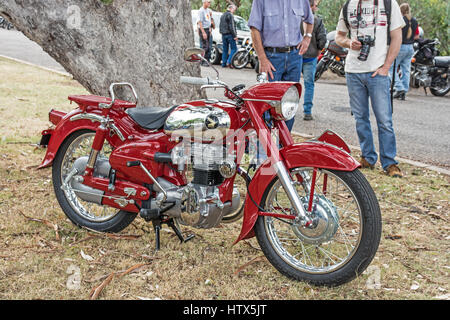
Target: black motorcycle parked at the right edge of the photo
[(428, 70)]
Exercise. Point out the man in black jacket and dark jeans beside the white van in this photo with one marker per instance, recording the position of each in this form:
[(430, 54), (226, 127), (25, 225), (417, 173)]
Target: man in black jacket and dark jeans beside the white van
[(227, 28)]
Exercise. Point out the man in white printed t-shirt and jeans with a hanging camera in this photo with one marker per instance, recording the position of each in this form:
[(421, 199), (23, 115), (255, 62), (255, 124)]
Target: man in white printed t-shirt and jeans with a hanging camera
[(367, 71)]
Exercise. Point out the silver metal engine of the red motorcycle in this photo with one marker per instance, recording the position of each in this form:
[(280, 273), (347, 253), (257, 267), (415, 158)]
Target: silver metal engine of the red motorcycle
[(198, 203)]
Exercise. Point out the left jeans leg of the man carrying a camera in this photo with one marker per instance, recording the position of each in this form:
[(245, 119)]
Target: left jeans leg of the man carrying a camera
[(359, 103)]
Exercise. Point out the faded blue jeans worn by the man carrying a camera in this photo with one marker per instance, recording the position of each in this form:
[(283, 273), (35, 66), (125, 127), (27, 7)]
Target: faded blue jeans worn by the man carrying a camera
[(361, 88)]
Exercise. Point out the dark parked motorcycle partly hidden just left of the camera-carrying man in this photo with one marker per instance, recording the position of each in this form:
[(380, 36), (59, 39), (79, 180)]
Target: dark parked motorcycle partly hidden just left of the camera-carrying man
[(332, 57)]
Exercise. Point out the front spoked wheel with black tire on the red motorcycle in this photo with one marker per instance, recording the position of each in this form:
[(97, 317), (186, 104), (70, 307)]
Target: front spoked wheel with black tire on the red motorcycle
[(344, 235)]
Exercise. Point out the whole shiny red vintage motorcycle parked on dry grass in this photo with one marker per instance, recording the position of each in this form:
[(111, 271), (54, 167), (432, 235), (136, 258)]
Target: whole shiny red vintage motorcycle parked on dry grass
[(314, 214)]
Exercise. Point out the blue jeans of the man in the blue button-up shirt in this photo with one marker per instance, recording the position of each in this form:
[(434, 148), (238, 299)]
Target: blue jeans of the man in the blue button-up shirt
[(288, 68)]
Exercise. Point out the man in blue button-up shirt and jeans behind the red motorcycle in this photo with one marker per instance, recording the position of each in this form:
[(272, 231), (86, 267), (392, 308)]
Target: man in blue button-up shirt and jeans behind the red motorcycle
[(276, 36)]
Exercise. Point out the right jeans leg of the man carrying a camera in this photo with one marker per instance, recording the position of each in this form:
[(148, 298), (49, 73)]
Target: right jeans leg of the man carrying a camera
[(379, 91)]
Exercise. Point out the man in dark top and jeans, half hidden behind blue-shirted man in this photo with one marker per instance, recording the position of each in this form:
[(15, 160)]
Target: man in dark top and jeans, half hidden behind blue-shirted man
[(318, 41)]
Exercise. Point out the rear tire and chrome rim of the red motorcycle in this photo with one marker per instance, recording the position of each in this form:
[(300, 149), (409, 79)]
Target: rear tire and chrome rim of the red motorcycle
[(118, 219)]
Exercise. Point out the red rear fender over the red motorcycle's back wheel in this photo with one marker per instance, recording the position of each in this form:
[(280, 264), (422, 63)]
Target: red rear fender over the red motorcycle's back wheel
[(63, 129)]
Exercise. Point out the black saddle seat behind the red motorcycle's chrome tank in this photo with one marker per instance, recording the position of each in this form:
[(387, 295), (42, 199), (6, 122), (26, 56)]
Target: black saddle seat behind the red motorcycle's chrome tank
[(151, 118)]
